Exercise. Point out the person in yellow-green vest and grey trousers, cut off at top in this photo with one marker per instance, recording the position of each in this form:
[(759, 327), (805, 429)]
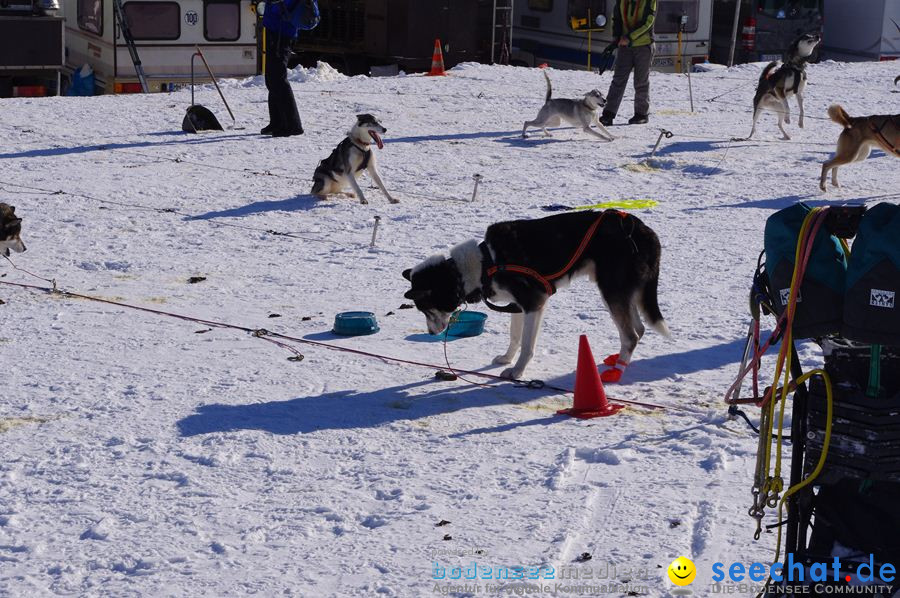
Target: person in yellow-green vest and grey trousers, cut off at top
[(633, 34)]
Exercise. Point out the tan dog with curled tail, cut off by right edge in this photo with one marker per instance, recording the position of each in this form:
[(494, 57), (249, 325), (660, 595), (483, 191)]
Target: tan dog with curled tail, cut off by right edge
[(860, 135)]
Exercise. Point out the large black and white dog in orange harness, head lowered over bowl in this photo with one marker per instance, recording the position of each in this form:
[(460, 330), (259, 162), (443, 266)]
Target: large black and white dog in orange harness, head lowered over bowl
[(523, 262)]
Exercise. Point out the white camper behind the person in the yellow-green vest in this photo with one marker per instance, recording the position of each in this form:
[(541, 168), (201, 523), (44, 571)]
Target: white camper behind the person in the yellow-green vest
[(542, 32)]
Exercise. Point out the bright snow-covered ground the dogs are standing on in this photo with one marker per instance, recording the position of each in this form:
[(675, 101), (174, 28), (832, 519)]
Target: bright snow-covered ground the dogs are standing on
[(145, 455)]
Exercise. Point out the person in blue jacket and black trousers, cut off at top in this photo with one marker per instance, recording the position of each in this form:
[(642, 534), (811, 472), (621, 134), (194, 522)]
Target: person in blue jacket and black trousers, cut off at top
[(280, 30)]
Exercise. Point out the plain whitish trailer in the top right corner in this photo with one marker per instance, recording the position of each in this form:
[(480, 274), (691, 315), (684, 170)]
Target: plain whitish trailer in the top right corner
[(867, 30)]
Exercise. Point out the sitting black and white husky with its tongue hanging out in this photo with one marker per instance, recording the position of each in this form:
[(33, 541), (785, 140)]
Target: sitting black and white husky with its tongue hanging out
[(352, 155)]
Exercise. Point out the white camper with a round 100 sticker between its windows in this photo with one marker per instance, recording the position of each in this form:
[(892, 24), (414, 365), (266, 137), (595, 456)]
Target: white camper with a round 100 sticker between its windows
[(165, 33)]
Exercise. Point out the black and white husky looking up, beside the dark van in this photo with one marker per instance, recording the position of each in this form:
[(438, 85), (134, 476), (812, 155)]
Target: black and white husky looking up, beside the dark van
[(782, 79)]
